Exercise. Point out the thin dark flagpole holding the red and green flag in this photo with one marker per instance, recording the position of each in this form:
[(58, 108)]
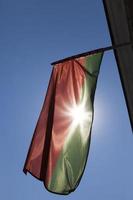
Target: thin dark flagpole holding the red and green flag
[(113, 47)]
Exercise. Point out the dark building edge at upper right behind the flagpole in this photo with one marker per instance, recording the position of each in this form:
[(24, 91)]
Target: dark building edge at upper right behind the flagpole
[(119, 15)]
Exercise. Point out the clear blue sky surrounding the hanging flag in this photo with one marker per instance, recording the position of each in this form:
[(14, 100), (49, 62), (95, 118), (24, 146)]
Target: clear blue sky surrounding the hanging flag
[(33, 33)]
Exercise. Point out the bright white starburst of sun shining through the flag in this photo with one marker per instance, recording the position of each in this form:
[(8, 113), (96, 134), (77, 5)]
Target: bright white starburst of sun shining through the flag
[(79, 116)]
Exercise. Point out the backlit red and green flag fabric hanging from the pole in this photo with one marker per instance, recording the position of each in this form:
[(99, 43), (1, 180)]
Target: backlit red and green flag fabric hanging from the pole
[(60, 144)]
